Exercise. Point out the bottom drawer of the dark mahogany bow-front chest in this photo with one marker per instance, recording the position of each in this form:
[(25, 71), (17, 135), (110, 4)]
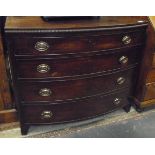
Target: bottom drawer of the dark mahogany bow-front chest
[(42, 114)]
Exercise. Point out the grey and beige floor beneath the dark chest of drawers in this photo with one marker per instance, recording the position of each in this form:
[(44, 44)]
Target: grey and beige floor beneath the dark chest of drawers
[(114, 125)]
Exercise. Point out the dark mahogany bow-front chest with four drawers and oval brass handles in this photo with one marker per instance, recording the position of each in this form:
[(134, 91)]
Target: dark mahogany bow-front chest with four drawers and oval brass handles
[(71, 70)]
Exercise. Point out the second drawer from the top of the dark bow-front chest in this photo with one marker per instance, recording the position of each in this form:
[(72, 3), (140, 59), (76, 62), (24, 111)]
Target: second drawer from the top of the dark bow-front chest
[(69, 67)]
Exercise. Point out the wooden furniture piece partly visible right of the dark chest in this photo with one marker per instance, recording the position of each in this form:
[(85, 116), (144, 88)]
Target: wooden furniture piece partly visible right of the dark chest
[(145, 94)]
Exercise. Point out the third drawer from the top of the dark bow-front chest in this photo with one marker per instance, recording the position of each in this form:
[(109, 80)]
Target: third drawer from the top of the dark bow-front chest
[(74, 89)]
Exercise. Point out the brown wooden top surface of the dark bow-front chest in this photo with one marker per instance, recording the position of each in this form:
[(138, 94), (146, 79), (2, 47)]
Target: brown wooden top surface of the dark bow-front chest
[(36, 22)]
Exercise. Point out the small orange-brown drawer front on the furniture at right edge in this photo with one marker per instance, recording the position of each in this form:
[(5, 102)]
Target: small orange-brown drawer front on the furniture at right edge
[(149, 92)]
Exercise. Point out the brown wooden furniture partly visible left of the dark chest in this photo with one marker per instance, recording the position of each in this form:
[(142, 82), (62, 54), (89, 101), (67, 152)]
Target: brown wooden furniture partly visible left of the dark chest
[(7, 112)]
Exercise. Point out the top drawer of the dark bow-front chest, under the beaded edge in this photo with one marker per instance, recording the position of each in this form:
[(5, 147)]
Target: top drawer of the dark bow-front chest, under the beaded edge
[(72, 45)]
